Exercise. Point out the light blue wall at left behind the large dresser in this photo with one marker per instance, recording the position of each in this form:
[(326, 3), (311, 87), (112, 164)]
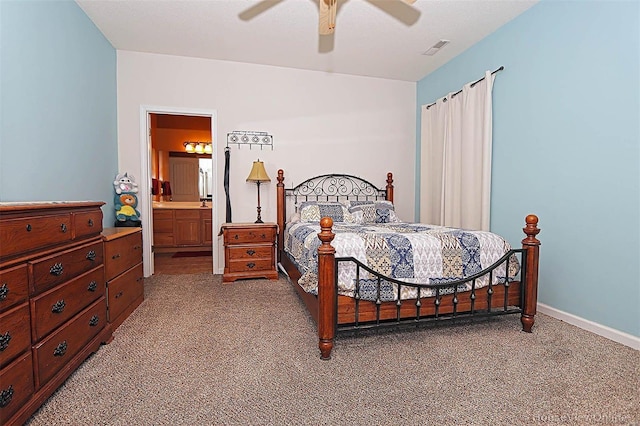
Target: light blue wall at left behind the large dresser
[(58, 105)]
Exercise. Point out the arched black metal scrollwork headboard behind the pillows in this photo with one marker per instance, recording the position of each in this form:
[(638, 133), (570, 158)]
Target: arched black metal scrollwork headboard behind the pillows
[(335, 187)]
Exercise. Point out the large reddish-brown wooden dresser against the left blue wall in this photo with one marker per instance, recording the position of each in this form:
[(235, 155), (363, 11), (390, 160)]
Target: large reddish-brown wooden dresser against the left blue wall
[(53, 308)]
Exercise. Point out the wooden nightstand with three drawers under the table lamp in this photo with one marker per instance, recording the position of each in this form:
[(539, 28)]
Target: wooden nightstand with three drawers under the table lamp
[(249, 251)]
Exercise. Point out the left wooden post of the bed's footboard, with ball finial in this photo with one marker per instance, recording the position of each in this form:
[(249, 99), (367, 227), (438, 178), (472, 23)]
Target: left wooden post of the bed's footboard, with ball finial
[(326, 289)]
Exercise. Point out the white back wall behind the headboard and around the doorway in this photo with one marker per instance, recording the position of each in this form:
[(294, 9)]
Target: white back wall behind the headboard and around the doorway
[(320, 123)]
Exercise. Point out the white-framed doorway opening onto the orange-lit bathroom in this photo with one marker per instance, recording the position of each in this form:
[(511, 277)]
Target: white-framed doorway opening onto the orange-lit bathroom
[(163, 134)]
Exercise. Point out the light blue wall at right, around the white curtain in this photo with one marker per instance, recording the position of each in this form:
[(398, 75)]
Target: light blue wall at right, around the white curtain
[(566, 138)]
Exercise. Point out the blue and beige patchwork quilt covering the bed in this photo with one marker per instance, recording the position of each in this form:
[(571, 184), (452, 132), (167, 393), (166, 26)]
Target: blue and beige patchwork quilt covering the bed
[(409, 252)]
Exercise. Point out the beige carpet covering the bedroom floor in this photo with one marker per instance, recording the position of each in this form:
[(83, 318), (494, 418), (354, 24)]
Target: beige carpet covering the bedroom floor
[(197, 352)]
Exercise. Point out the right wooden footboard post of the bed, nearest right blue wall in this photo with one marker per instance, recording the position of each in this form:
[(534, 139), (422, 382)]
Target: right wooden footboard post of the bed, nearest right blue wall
[(532, 244)]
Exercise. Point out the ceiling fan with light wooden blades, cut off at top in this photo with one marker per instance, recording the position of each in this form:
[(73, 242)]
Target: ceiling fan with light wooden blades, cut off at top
[(398, 9)]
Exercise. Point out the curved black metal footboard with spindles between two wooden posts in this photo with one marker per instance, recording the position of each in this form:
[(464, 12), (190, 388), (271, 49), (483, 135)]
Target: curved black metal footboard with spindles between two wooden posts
[(484, 294)]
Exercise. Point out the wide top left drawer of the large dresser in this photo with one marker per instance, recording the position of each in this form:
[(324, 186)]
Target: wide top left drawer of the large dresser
[(21, 235)]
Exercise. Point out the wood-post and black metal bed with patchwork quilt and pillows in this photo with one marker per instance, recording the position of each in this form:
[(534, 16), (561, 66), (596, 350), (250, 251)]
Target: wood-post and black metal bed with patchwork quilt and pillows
[(357, 266)]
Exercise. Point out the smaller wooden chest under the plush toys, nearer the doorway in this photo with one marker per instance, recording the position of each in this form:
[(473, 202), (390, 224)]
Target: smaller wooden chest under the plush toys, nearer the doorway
[(123, 272)]
